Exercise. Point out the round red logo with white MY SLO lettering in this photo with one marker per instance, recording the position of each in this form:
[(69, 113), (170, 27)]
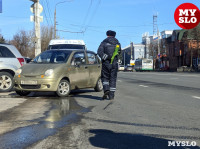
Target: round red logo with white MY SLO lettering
[(187, 16)]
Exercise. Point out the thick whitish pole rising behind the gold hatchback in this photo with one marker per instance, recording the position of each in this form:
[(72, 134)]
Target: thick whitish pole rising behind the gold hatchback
[(36, 9)]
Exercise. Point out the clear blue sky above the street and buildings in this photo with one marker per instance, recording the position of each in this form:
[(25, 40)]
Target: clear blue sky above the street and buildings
[(129, 18)]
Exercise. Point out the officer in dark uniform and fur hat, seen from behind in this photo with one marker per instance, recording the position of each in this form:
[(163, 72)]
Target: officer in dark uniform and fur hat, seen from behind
[(109, 69)]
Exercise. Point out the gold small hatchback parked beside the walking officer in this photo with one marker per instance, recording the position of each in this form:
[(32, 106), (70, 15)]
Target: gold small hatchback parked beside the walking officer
[(60, 71)]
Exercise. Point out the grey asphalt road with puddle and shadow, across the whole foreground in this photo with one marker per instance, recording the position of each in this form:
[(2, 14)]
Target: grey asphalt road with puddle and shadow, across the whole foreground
[(150, 109)]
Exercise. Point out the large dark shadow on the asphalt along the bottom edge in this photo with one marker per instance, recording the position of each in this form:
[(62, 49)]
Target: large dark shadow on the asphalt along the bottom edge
[(112, 140)]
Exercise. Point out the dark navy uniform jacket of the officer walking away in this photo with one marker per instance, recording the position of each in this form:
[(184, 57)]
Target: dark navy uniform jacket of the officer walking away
[(106, 49)]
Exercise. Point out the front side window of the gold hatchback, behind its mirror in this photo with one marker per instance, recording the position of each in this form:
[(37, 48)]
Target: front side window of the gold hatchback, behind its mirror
[(78, 57)]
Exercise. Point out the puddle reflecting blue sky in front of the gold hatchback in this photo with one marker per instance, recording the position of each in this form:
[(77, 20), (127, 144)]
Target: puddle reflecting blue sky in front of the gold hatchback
[(63, 112)]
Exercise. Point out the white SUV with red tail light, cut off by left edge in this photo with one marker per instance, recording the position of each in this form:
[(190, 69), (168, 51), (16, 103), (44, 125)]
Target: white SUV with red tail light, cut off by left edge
[(10, 61)]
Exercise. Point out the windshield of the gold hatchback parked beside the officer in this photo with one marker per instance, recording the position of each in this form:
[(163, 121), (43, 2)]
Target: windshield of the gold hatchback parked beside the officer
[(52, 57)]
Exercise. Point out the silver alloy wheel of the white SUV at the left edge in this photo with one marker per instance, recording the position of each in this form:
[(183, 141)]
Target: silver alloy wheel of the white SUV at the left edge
[(6, 82)]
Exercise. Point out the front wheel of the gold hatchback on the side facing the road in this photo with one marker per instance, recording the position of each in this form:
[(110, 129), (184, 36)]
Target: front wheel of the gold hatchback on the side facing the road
[(64, 88)]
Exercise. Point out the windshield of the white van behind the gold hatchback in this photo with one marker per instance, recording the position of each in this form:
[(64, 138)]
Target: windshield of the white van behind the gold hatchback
[(66, 46)]
